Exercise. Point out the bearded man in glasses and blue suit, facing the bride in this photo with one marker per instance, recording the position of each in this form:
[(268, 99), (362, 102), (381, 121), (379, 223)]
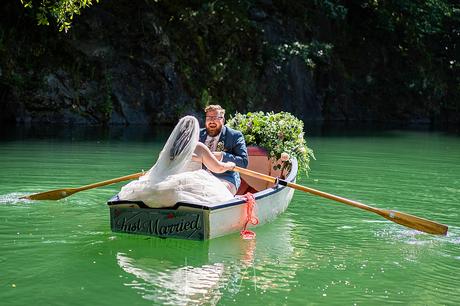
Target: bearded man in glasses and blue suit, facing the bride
[(226, 144)]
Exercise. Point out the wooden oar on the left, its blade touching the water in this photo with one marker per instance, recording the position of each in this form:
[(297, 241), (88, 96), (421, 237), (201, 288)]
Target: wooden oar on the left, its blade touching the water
[(58, 194)]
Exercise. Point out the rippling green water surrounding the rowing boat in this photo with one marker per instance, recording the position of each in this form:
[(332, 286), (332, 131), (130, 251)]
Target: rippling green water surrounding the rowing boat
[(317, 252)]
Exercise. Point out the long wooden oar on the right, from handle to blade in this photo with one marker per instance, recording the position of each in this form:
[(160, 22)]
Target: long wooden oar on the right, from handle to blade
[(411, 221)]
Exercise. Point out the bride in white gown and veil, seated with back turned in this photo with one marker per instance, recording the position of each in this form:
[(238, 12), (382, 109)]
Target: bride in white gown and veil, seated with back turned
[(177, 176)]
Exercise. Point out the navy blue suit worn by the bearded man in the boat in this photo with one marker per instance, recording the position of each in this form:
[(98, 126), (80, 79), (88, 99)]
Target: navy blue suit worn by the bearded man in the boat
[(234, 150)]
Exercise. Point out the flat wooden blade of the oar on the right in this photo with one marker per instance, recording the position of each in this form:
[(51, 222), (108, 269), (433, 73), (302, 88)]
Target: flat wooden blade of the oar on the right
[(416, 223)]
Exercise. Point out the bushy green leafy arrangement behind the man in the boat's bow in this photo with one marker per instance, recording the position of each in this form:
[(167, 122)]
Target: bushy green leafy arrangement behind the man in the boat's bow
[(277, 133)]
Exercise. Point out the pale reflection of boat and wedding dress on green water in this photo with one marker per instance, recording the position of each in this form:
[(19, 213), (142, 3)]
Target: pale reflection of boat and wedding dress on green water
[(203, 272)]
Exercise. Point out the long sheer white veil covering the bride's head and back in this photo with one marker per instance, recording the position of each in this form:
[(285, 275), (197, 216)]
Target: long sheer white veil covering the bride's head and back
[(178, 150)]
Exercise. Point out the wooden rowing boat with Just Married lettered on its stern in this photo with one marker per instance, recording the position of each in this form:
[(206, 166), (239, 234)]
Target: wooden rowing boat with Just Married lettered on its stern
[(209, 220)]
